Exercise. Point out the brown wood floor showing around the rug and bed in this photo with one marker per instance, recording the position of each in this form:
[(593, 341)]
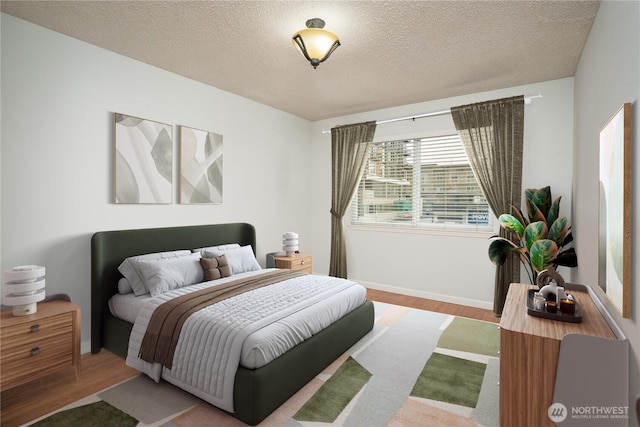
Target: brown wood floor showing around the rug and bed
[(98, 371)]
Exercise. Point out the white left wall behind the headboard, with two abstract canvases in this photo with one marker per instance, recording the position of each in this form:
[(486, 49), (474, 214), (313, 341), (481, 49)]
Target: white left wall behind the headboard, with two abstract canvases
[(58, 99)]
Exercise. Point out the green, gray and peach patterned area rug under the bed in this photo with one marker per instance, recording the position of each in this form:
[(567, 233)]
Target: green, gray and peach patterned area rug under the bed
[(415, 368)]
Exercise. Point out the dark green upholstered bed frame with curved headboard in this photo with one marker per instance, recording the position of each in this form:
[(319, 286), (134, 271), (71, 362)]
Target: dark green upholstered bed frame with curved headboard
[(256, 392)]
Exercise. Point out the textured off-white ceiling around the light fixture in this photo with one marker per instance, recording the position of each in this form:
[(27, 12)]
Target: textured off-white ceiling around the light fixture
[(393, 52)]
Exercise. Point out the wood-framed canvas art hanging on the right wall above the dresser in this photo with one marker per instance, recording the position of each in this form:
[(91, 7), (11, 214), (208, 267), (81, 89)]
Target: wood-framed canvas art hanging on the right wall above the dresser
[(615, 210)]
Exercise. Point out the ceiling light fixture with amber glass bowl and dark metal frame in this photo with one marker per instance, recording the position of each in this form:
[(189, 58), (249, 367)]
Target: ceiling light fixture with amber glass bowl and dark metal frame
[(316, 43)]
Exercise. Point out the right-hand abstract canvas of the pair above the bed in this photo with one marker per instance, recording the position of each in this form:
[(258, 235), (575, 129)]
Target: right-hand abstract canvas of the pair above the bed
[(200, 166)]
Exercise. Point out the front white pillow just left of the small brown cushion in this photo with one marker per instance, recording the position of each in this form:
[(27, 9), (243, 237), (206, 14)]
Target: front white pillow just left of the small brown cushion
[(171, 273)]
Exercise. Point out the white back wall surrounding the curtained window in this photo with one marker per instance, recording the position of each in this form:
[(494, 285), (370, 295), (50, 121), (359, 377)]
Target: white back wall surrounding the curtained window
[(443, 267)]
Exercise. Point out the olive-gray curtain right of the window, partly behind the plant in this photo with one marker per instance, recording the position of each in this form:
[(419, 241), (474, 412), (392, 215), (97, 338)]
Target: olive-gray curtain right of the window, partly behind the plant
[(492, 134)]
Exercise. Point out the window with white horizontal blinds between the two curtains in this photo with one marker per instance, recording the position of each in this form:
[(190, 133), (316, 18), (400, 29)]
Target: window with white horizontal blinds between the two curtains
[(425, 182)]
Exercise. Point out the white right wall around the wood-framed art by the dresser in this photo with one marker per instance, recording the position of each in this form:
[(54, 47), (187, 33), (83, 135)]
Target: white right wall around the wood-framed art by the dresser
[(608, 75)]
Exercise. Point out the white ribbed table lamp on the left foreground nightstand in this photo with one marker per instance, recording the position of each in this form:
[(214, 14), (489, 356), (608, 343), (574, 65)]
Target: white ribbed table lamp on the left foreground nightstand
[(23, 289)]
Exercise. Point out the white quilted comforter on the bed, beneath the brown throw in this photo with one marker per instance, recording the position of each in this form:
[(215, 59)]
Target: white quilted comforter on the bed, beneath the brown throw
[(213, 340)]
